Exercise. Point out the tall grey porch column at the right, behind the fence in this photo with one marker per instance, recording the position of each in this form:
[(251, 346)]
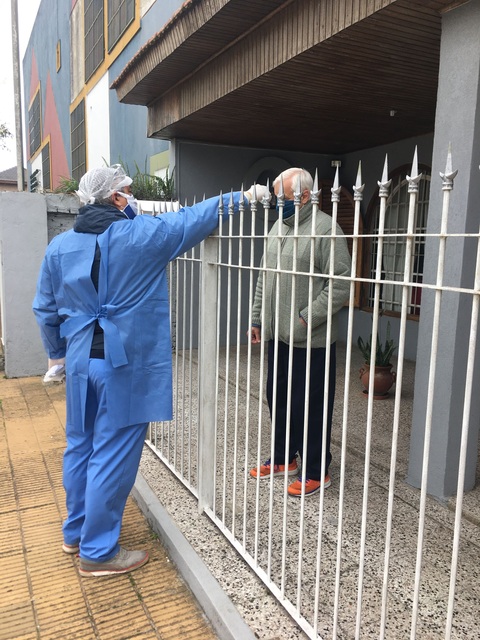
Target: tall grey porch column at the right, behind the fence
[(458, 122)]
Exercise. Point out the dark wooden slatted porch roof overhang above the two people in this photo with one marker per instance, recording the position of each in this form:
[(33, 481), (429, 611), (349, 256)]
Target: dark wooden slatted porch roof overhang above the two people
[(335, 96)]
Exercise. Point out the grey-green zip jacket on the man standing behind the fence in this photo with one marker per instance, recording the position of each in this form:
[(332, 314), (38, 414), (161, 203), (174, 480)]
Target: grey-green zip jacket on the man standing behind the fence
[(276, 273)]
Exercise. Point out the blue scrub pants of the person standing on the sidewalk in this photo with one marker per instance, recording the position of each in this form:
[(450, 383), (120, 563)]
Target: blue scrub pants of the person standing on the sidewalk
[(99, 468)]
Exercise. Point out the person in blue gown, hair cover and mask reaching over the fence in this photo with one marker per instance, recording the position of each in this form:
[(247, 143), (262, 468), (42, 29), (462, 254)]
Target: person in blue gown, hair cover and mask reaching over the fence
[(102, 302)]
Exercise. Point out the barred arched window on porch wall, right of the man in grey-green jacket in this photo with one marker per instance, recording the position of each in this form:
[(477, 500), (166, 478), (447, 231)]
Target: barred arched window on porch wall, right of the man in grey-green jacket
[(395, 243)]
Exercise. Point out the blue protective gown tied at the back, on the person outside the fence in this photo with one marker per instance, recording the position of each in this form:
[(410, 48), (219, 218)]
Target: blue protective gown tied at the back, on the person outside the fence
[(131, 306)]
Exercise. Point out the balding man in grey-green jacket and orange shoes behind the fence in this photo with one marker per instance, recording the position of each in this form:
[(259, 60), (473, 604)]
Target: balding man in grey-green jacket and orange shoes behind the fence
[(286, 254)]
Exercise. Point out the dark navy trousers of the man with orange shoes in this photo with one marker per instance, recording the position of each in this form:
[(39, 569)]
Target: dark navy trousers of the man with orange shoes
[(297, 414)]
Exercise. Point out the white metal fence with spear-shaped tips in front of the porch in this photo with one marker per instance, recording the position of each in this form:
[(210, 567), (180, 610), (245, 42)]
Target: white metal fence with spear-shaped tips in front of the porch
[(356, 560)]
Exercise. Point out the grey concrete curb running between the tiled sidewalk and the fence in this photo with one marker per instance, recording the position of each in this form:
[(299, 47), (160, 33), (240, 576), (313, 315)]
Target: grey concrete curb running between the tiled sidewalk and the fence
[(222, 614)]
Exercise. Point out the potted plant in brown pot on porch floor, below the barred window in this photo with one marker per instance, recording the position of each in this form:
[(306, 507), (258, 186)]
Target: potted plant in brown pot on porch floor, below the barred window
[(384, 377)]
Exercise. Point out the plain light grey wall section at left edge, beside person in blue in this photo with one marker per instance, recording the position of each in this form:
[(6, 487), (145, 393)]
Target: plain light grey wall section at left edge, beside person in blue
[(23, 238)]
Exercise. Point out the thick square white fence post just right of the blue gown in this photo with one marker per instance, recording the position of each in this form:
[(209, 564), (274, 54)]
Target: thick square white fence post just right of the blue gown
[(207, 371)]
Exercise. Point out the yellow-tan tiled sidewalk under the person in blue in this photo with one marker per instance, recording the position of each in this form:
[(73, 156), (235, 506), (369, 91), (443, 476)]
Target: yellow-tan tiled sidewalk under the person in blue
[(42, 596)]
